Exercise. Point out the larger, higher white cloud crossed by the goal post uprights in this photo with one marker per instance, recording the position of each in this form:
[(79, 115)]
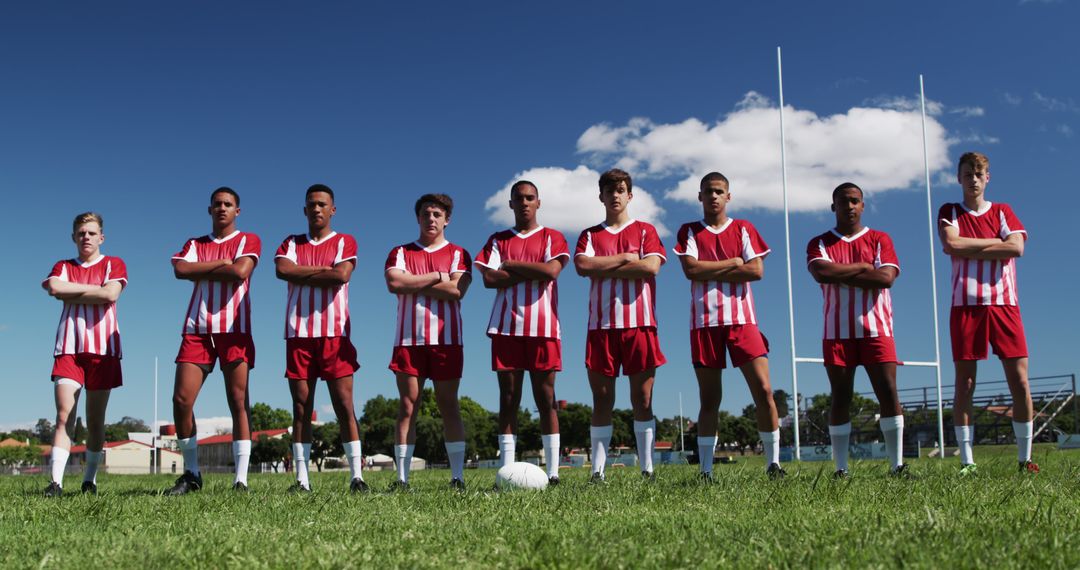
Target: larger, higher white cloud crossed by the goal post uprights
[(880, 150)]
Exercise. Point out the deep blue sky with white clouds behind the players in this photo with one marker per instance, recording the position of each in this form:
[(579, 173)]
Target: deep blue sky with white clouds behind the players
[(139, 112)]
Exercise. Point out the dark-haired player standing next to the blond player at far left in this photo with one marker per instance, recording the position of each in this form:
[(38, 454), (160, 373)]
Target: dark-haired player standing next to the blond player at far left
[(218, 328)]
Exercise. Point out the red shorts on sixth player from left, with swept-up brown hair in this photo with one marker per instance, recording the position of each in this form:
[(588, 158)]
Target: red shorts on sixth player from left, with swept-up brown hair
[(634, 350)]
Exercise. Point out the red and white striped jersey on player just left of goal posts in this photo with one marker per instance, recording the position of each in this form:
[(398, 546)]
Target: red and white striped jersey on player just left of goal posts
[(717, 303)]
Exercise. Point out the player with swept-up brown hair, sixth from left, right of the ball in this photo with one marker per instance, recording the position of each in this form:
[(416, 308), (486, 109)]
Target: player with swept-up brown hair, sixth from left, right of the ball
[(622, 257)]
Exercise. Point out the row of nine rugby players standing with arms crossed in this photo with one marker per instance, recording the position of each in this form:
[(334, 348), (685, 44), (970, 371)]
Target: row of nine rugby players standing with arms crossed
[(721, 256)]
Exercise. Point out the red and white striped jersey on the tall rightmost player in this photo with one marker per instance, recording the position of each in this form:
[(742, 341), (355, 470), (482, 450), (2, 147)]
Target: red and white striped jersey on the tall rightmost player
[(979, 282)]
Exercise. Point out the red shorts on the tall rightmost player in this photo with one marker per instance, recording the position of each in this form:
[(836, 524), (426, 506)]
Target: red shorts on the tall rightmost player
[(998, 325)]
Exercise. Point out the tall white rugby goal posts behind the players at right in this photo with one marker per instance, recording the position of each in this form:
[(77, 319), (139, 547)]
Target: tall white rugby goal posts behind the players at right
[(796, 360)]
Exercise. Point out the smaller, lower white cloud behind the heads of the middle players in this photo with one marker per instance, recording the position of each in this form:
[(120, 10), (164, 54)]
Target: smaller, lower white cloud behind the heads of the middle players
[(569, 199)]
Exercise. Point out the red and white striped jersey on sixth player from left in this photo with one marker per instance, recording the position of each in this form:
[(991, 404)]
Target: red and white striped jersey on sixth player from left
[(622, 303)]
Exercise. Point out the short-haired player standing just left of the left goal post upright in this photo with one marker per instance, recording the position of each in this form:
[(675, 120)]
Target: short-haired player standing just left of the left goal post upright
[(722, 256)]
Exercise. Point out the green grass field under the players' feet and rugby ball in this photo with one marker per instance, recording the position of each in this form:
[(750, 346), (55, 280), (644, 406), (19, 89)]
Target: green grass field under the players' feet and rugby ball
[(998, 520)]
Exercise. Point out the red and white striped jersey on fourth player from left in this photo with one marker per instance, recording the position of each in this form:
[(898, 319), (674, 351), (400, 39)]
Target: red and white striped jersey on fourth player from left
[(424, 320)]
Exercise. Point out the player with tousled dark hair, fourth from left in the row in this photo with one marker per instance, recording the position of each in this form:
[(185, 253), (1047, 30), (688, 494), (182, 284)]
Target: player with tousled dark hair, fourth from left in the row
[(430, 277)]
